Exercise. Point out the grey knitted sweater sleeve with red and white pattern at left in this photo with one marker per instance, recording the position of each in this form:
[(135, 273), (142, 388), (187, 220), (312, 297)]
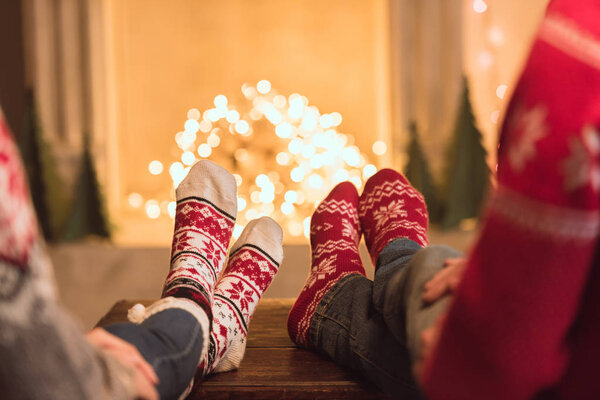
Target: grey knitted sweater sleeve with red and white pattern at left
[(43, 351)]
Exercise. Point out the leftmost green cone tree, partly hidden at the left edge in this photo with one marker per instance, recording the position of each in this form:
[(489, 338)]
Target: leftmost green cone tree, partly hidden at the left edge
[(47, 190)]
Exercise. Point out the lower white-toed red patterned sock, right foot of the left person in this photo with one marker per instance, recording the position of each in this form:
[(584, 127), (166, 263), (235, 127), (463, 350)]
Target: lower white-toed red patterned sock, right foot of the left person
[(253, 262)]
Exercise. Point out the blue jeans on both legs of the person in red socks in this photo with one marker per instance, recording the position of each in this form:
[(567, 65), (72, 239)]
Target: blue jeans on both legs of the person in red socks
[(374, 327)]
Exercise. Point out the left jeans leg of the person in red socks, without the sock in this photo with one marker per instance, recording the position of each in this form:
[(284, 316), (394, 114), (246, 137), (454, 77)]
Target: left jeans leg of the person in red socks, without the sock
[(348, 329)]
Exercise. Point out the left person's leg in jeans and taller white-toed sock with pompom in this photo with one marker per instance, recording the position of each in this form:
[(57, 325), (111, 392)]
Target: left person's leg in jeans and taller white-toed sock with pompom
[(172, 334)]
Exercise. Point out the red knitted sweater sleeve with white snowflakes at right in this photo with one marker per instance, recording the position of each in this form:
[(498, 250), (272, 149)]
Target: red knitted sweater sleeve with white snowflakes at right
[(505, 333)]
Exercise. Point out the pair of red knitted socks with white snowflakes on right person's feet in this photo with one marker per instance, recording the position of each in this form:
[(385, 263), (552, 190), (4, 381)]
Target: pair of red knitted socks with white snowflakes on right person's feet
[(388, 208)]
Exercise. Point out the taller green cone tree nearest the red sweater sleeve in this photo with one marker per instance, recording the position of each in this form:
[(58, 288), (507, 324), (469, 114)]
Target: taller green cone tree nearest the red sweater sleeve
[(467, 172)]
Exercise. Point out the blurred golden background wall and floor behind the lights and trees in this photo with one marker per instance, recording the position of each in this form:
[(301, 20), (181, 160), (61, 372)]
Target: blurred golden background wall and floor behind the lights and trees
[(127, 72)]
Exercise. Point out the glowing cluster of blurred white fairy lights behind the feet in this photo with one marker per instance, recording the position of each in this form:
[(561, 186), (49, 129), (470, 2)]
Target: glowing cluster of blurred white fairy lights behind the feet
[(283, 152)]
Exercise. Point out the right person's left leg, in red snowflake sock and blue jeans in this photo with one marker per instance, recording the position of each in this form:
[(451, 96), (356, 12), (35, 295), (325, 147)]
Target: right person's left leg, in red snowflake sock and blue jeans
[(343, 324)]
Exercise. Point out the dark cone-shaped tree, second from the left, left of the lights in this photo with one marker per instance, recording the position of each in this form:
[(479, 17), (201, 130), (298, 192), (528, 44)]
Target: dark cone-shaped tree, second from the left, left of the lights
[(88, 215)]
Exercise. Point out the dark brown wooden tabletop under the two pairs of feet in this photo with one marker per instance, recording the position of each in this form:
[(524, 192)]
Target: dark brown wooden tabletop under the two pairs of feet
[(273, 367)]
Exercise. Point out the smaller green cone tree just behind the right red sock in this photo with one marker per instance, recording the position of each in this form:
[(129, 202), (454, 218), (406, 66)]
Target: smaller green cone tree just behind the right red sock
[(417, 172)]
